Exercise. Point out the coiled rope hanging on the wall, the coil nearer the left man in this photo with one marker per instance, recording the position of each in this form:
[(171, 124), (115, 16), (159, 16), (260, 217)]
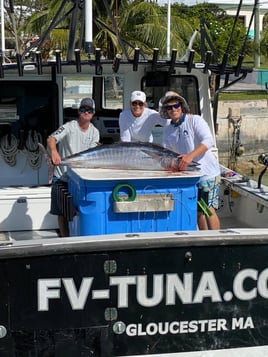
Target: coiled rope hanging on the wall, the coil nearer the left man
[(34, 156)]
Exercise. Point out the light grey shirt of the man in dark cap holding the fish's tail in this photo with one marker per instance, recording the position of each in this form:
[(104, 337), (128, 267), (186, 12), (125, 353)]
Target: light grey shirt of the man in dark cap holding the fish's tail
[(71, 139)]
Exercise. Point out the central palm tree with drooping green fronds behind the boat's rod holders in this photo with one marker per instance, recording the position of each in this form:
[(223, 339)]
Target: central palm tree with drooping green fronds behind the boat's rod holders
[(142, 24)]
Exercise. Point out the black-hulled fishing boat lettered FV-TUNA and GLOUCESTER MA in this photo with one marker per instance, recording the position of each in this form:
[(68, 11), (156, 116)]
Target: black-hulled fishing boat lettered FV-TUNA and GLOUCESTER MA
[(136, 277)]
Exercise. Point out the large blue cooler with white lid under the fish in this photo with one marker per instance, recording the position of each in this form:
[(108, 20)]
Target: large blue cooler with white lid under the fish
[(116, 201)]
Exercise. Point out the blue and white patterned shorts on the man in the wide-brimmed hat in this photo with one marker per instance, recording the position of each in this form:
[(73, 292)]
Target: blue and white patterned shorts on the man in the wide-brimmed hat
[(209, 191)]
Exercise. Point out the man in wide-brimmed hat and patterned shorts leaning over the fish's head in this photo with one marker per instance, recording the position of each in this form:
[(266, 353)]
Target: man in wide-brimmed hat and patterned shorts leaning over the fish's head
[(189, 135)]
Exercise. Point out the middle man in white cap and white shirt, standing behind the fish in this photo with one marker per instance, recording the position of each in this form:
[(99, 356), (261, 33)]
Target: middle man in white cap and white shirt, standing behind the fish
[(137, 122)]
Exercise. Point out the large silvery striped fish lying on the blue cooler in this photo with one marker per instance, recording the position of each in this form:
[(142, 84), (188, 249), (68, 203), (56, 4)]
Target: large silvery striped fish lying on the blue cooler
[(127, 156)]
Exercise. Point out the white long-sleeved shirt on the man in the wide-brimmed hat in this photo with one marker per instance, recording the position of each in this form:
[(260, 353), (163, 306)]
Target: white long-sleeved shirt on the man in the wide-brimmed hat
[(184, 138)]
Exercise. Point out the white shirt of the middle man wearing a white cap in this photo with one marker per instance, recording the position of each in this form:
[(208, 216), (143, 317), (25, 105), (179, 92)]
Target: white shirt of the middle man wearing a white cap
[(139, 128)]
